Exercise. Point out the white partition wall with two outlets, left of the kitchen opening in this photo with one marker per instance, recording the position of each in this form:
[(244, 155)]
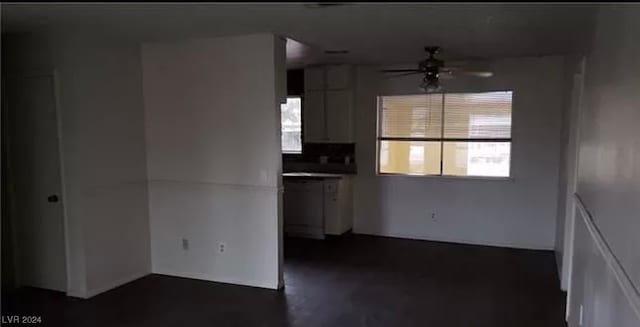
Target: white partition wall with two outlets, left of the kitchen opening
[(214, 163)]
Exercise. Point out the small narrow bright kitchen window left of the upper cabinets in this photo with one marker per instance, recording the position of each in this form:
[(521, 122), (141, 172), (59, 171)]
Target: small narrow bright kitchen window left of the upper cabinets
[(291, 120)]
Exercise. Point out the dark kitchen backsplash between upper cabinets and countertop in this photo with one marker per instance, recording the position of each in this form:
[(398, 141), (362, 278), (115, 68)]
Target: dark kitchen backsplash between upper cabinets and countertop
[(322, 157)]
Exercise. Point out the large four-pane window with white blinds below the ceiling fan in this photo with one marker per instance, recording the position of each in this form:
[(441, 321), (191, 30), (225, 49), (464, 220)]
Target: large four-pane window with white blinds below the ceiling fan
[(452, 134)]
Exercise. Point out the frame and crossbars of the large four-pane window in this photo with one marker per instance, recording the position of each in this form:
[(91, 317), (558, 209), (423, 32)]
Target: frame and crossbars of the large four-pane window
[(442, 140)]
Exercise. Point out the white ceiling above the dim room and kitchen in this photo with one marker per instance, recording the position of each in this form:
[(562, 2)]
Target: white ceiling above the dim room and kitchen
[(373, 33)]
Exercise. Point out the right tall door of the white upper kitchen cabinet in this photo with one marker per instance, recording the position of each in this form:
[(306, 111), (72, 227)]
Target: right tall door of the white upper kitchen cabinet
[(339, 116)]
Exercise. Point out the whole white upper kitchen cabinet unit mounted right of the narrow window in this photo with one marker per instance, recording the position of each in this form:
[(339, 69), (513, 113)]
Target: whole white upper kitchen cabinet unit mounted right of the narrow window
[(328, 104)]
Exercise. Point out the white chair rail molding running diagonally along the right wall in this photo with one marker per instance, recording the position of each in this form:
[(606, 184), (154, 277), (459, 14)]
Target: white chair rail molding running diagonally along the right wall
[(628, 288)]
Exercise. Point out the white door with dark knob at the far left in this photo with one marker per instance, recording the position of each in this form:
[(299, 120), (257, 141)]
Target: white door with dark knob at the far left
[(34, 167)]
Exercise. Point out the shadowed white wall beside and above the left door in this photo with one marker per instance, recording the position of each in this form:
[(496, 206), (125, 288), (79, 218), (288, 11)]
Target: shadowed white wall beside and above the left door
[(103, 155)]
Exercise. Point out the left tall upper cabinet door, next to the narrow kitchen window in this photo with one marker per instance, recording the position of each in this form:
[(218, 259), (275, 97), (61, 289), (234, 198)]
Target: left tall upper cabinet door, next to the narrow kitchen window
[(313, 115)]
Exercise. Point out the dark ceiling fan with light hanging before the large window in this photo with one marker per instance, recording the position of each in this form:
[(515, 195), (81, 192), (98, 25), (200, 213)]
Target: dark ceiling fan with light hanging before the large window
[(434, 69)]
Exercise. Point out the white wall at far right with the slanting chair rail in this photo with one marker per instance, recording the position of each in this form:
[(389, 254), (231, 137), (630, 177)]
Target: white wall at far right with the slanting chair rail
[(609, 176)]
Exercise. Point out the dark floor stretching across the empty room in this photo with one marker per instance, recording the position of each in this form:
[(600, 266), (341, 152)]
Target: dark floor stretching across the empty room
[(348, 281)]
